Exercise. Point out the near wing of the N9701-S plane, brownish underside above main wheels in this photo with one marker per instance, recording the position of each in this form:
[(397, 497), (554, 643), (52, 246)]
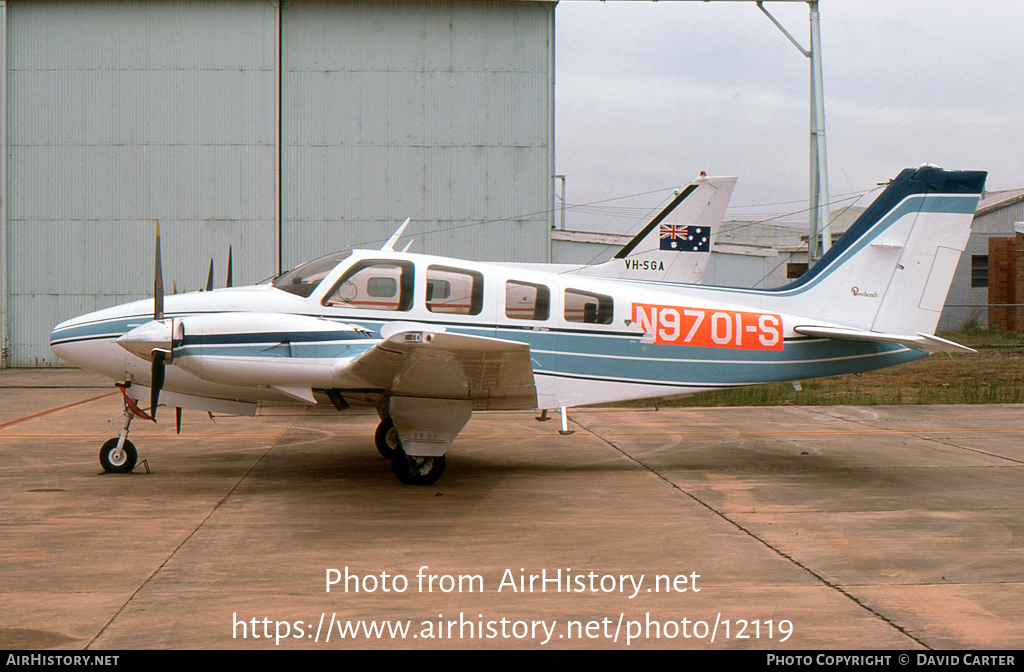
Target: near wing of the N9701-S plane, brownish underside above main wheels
[(494, 374)]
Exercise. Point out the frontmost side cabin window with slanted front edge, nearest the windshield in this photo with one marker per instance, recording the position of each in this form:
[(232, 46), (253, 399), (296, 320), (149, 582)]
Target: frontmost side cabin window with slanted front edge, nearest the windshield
[(374, 285)]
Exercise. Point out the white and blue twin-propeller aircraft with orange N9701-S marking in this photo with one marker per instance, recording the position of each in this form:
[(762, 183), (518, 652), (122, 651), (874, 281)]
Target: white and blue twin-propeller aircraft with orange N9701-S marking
[(428, 341)]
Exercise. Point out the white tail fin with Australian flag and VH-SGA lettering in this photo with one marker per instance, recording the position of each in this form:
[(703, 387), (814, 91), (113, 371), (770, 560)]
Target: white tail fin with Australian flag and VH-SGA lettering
[(676, 244)]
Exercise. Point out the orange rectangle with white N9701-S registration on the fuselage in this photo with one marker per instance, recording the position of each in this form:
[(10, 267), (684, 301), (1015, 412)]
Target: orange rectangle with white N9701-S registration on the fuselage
[(674, 325)]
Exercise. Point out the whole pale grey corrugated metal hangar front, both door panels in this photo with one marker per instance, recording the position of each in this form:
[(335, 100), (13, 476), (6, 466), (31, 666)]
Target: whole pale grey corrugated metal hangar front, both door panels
[(284, 130)]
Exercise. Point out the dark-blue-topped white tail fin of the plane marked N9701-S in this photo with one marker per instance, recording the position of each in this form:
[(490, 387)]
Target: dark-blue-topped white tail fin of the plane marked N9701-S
[(891, 271)]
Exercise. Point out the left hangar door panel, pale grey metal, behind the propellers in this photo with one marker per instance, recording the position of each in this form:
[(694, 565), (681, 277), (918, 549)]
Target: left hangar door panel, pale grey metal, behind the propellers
[(121, 114)]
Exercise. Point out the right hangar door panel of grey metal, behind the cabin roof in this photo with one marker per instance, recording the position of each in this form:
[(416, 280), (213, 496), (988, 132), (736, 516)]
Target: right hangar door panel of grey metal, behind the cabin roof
[(437, 111)]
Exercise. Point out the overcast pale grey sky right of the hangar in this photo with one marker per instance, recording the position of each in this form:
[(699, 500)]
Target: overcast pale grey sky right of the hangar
[(651, 94)]
